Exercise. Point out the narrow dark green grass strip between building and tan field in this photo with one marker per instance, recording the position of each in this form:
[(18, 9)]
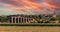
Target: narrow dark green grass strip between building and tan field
[(32, 24)]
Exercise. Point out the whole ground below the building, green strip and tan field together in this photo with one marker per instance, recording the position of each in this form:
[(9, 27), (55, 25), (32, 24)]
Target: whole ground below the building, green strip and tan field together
[(34, 27)]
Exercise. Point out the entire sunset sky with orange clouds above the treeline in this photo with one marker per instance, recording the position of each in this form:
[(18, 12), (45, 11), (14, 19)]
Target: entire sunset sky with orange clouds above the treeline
[(10, 7)]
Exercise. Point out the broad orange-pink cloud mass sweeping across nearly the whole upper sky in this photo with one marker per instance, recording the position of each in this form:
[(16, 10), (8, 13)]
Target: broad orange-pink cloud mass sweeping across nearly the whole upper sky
[(30, 5)]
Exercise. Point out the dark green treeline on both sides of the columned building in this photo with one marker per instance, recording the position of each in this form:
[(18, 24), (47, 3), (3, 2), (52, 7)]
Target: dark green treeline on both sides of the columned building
[(38, 18)]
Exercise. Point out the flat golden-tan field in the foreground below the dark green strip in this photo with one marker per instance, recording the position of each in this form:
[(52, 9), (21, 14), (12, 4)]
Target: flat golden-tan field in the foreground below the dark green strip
[(29, 29)]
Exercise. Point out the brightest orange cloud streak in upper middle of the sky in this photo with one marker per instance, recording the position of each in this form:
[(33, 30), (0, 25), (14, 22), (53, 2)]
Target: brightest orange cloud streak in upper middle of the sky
[(26, 5)]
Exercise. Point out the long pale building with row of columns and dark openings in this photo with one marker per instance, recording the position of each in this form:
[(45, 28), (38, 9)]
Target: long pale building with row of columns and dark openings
[(21, 19)]
